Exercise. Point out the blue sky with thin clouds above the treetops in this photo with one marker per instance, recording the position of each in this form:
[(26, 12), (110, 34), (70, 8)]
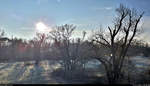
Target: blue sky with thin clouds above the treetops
[(19, 17)]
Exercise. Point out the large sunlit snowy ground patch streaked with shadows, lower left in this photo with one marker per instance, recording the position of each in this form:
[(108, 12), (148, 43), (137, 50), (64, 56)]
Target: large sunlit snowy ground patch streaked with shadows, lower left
[(19, 73)]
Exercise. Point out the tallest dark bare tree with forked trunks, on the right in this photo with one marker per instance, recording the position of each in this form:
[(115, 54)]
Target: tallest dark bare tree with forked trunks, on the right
[(117, 41)]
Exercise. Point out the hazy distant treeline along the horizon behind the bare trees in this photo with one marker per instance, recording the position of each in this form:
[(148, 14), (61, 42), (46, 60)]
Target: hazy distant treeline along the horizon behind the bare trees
[(21, 50)]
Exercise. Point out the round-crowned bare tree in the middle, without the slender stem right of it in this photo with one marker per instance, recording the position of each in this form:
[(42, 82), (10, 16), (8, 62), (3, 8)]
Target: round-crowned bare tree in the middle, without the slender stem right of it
[(61, 36)]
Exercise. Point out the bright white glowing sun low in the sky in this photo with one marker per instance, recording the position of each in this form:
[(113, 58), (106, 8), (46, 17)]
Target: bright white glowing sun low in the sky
[(41, 27)]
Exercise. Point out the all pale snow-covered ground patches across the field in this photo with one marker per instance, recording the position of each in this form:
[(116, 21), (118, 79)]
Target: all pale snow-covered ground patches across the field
[(20, 72)]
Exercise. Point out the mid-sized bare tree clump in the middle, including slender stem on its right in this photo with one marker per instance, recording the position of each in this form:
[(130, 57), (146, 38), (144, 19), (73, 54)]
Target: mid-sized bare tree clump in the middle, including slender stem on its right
[(68, 48)]
